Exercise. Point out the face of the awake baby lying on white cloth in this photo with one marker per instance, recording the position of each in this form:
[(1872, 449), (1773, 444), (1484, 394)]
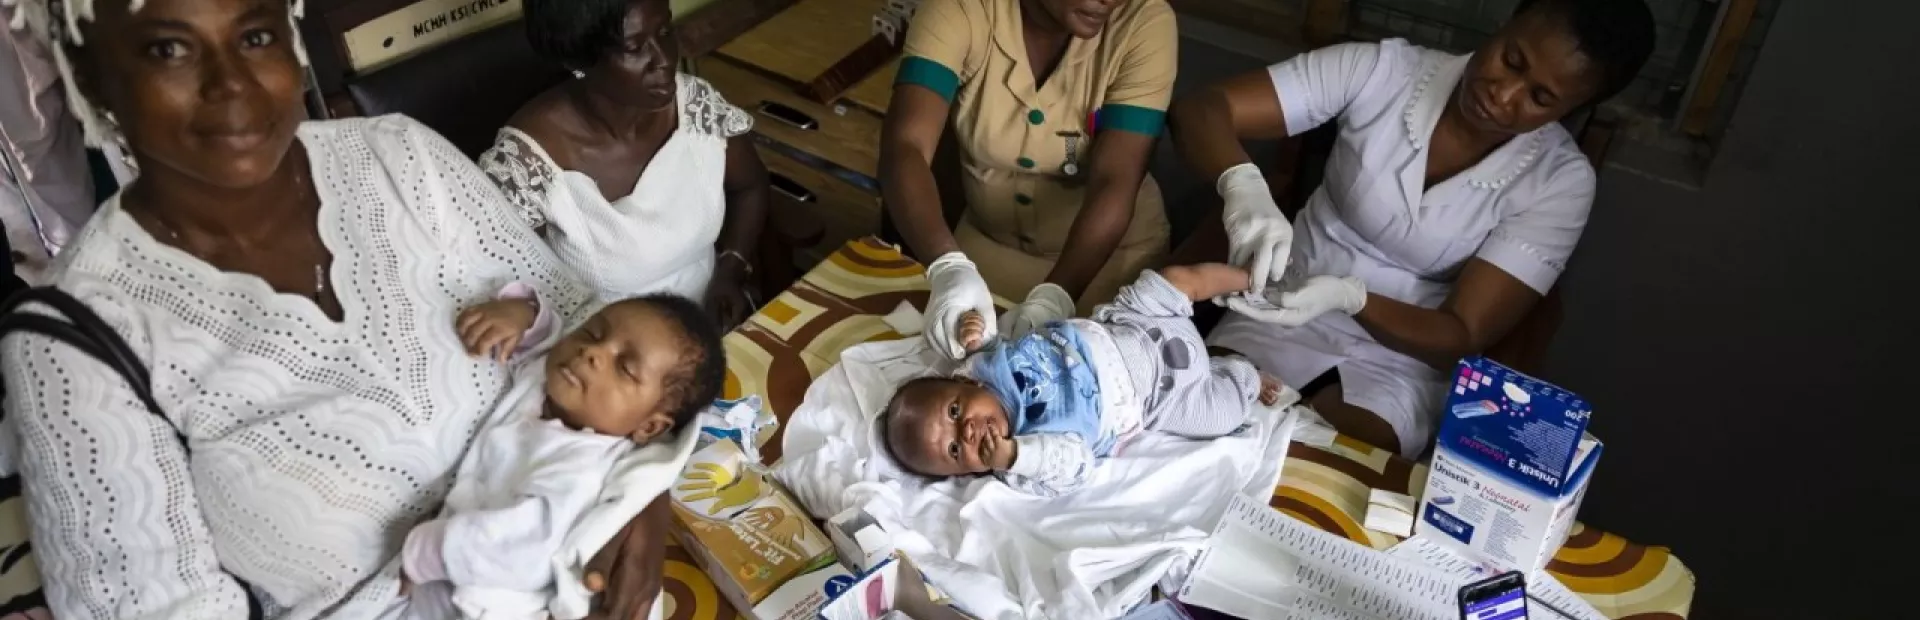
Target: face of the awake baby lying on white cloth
[(951, 429)]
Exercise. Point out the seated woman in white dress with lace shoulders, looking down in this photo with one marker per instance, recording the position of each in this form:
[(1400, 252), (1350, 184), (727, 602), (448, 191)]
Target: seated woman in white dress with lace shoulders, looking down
[(640, 178)]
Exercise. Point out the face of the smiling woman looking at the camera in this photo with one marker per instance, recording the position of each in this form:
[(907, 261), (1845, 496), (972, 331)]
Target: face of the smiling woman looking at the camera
[(210, 89)]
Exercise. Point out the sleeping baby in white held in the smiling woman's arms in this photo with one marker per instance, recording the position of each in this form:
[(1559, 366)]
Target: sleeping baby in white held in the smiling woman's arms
[(567, 458)]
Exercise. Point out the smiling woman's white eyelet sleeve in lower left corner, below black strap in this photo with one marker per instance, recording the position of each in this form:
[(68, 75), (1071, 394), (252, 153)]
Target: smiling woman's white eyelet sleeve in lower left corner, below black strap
[(116, 523)]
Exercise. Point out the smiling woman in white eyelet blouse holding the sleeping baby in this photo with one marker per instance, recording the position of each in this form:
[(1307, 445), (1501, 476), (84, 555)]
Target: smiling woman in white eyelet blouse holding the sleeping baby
[(291, 287)]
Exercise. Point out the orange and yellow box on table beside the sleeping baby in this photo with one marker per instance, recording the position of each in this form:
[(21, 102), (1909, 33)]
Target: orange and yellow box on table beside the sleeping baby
[(761, 550)]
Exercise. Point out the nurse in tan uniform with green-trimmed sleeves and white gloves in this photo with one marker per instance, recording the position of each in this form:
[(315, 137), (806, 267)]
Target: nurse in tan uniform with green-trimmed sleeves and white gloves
[(1057, 107)]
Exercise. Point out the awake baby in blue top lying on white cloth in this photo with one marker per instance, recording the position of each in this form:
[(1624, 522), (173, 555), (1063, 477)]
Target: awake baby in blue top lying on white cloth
[(1040, 410)]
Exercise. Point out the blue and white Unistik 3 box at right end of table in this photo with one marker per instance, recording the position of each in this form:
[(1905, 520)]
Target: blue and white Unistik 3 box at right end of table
[(1510, 467)]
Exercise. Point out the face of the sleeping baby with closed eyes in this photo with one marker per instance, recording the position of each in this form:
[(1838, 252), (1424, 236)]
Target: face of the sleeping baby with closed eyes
[(612, 373)]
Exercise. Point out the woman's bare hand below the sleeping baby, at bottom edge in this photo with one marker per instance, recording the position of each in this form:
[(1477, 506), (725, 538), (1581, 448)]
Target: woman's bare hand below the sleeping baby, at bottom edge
[(627, 575)]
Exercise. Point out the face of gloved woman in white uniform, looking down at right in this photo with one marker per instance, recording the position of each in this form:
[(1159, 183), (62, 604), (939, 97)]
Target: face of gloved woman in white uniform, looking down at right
[(1527, 76)]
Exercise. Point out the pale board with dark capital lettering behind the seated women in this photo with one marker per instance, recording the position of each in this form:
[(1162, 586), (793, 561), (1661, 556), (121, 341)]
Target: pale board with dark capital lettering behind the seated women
[(420, 28)]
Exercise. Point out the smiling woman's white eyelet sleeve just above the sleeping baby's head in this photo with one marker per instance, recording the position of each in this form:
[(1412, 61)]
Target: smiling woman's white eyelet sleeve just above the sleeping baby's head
[(498, 245)]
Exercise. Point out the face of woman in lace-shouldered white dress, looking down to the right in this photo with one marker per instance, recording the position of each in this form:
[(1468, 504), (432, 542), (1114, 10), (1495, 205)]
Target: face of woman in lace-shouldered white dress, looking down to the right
[(640, 68)]
